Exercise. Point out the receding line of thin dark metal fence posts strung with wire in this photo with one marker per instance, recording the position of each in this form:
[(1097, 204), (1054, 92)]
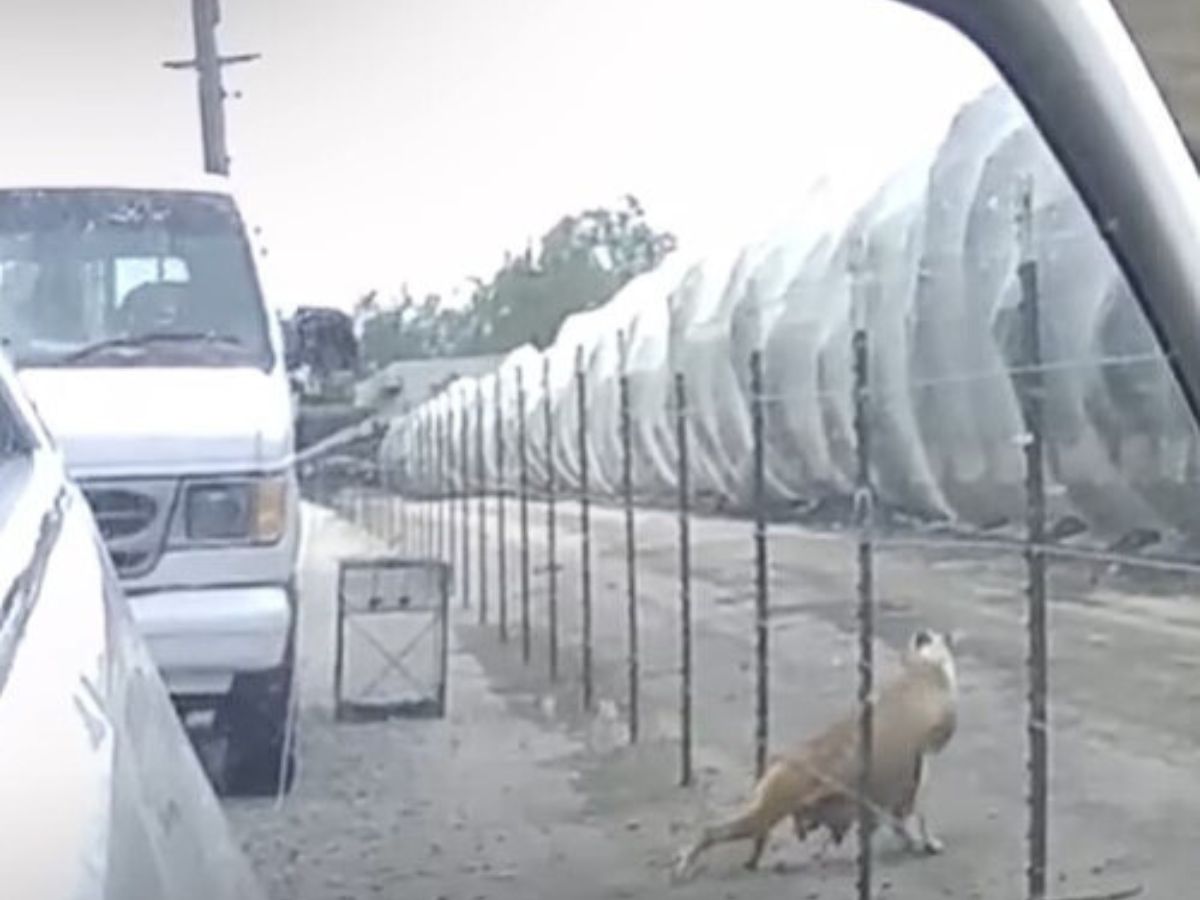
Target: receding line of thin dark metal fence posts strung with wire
[(441, 502)]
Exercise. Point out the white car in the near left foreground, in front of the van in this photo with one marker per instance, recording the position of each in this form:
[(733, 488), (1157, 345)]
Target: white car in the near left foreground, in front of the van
[(101, 796)]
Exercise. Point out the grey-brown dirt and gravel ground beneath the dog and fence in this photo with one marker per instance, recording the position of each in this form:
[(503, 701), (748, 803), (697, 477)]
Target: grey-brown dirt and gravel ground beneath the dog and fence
[(519, 794)]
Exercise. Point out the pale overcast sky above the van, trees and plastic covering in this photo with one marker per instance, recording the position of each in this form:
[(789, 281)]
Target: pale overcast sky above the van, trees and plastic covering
[(392, 141)]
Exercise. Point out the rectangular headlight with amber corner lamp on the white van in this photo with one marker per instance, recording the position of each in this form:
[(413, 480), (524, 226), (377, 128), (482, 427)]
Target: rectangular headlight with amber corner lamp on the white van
[(253, 512)]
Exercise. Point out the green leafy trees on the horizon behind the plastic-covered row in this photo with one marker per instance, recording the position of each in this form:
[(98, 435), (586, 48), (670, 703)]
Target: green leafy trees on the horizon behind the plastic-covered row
[(583, 262)]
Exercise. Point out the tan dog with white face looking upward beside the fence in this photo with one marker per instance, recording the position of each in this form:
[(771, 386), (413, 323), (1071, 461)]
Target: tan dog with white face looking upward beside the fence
[(818, 784)]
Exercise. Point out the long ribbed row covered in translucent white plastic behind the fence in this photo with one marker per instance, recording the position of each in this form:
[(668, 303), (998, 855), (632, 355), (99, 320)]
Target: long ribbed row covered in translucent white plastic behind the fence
[(931, 250)]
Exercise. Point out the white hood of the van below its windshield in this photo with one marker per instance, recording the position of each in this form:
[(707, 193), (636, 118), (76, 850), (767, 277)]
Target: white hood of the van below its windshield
[(143, 422)]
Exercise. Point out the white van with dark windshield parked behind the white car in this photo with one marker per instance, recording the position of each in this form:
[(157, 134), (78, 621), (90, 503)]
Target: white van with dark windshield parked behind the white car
[(136, 320)]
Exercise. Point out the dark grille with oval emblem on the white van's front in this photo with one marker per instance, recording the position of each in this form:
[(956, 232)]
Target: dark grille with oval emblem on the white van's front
[(133, 518)]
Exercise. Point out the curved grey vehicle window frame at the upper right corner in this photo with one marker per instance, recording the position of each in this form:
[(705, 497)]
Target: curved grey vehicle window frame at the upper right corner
[(1084, 85)]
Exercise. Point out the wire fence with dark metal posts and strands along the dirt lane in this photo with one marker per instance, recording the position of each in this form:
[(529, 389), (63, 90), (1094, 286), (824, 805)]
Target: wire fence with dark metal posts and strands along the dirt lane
[(425, 507)]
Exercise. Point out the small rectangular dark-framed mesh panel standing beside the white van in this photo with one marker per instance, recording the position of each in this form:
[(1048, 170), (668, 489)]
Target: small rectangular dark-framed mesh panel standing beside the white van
[(392, 643)]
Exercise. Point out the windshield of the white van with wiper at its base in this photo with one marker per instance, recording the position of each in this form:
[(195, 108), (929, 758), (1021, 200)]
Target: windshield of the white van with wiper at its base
[(117, 278)]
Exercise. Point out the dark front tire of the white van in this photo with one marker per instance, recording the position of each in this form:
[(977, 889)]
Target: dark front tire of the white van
[(260, 759)]
